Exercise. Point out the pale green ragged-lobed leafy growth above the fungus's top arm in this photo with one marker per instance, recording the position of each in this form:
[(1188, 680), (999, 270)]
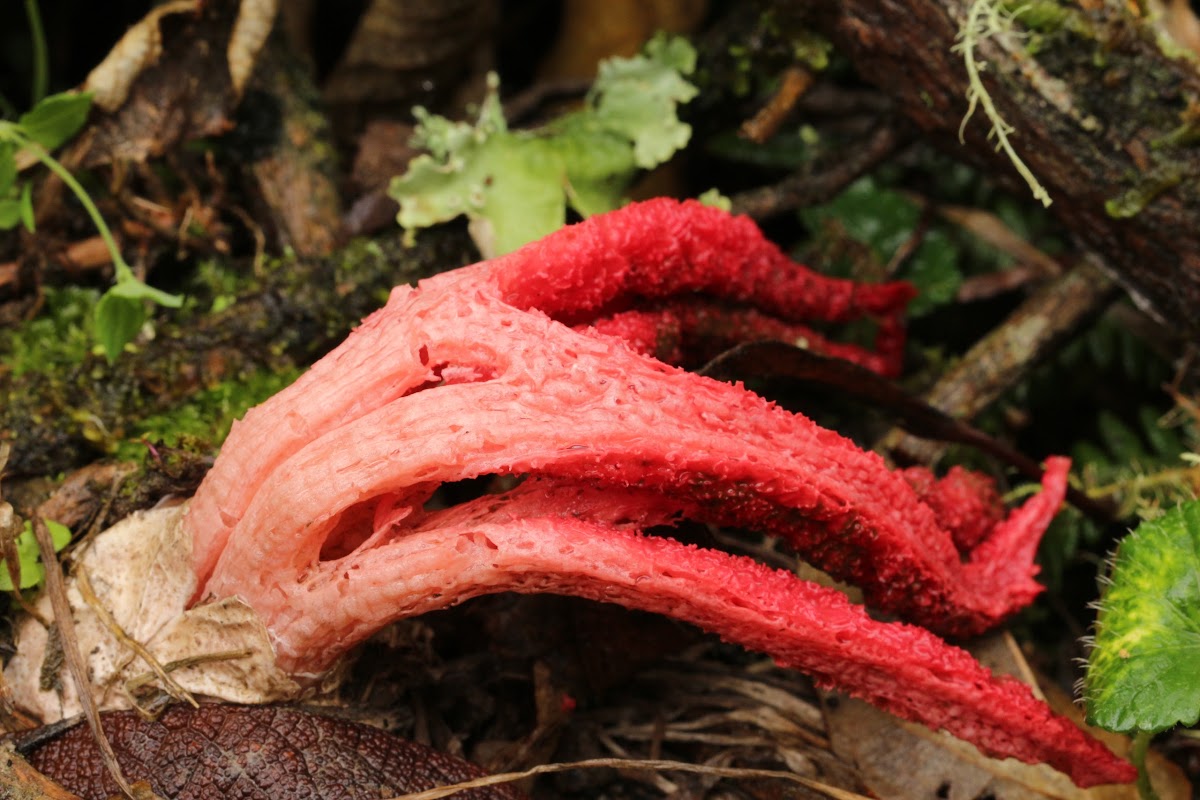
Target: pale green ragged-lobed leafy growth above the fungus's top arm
[(515, 185)]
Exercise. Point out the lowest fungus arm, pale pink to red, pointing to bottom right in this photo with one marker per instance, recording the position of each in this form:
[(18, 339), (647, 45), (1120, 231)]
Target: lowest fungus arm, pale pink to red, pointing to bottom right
[(902, 669)]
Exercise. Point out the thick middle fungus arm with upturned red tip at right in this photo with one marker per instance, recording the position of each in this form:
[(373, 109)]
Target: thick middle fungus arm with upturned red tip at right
[(559, 402)]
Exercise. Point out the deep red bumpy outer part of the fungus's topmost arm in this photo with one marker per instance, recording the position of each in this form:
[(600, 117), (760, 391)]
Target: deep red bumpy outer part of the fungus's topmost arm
[(663, 248)]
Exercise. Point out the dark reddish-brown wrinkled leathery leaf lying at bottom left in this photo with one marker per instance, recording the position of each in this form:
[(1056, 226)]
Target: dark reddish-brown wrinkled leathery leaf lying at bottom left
[(226, 753)]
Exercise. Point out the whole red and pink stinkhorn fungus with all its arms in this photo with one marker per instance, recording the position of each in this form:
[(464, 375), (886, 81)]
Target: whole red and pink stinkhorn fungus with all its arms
[(315, 513)]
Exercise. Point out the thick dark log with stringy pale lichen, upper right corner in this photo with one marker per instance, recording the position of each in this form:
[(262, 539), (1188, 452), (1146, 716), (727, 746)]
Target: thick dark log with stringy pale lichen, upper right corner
[(1106, 119)]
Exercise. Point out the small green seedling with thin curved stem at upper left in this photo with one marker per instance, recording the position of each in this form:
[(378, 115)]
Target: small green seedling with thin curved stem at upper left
[(56, 119)]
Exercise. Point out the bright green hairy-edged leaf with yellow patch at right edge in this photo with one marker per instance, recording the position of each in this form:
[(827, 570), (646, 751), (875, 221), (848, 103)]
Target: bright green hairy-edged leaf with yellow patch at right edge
[(1142, 673)]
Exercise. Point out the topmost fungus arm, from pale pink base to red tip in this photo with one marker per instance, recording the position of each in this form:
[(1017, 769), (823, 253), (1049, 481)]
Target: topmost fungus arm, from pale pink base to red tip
[(651, 250)]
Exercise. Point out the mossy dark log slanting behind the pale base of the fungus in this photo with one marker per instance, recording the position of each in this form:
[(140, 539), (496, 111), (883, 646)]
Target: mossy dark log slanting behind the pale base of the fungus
[(63, 418)]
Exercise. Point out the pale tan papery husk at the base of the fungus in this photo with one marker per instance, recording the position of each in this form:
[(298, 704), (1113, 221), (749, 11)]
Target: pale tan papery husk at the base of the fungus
[(141, 573)]
